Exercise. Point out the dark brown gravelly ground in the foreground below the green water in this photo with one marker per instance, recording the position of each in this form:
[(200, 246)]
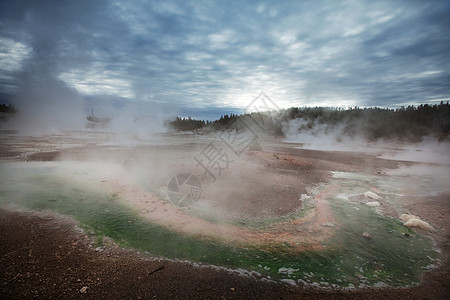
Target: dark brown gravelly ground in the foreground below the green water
[(44, 256)]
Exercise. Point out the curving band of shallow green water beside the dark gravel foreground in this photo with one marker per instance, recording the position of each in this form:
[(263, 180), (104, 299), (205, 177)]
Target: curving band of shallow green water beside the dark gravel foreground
[(387, 257)]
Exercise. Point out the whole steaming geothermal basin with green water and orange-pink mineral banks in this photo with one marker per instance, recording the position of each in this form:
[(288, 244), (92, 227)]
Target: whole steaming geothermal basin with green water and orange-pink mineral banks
[(316, 229)]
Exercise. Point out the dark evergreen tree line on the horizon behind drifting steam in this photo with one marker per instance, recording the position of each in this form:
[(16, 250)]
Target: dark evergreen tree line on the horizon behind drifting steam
[(411, 123)]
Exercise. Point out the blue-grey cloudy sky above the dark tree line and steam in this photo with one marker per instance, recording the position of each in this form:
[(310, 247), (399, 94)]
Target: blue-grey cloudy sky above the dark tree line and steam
[(206, 58)]
